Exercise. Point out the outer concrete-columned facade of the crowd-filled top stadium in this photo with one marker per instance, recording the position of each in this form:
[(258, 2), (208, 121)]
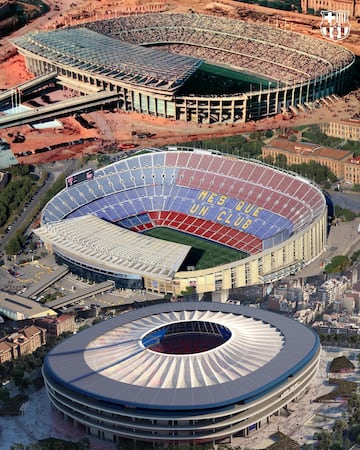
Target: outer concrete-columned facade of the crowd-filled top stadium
[(236, 108)]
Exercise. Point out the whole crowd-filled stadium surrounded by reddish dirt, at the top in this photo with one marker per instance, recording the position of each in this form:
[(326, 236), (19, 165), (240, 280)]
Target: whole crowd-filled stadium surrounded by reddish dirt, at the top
[(189, 67)]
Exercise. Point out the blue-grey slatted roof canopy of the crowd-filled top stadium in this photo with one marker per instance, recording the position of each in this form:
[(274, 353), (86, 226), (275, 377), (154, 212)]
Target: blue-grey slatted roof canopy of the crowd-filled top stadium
[(87, 50)]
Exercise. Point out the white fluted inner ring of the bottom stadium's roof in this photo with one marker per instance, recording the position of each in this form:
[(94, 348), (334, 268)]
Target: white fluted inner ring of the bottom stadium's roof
[(120, 355)]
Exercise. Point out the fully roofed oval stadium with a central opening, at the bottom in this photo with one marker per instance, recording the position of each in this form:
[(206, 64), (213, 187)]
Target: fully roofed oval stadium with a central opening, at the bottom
[(181, 373)]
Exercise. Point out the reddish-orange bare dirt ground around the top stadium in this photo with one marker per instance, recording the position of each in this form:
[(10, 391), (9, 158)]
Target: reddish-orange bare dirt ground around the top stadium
[(117, 127)]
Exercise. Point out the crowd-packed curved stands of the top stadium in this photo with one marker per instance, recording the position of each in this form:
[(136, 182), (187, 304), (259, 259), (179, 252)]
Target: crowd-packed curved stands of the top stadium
[(253, 47)]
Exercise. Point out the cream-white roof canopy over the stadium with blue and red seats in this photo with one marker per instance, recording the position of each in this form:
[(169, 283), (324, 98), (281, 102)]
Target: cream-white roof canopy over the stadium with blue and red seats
[(110, 247)]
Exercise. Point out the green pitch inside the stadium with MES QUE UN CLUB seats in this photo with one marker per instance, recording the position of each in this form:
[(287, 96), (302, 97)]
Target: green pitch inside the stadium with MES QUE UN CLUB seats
[(203, 253)]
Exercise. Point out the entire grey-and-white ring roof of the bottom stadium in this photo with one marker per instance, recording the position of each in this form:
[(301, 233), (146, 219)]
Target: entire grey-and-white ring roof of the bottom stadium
[(110, 362)]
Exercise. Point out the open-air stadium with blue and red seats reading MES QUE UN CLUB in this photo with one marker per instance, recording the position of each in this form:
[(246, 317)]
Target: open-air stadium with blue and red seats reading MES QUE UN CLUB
[(273, 221)]
